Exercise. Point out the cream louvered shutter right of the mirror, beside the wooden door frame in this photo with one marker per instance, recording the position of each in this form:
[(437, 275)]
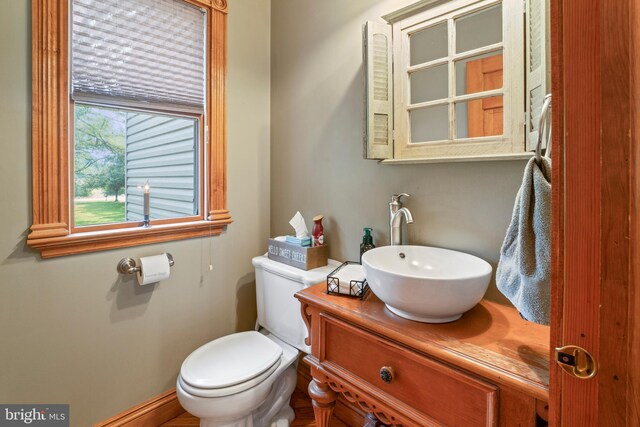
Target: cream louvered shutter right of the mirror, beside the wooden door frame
[(538, 81)]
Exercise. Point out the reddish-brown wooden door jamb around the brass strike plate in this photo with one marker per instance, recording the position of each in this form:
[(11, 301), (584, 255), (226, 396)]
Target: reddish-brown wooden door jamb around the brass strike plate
[(596, 193)]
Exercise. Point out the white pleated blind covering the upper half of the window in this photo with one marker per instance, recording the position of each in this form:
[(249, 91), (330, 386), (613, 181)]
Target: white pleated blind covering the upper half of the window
[(139, 52)]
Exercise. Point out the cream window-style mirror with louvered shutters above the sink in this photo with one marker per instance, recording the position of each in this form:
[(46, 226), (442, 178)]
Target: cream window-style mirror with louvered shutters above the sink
[(446, 80)]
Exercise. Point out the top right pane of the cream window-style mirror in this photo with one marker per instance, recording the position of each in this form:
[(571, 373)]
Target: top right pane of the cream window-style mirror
[(479, 29)]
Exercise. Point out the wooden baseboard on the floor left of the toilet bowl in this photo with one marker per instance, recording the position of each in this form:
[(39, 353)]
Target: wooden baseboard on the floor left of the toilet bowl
[(151, 413)]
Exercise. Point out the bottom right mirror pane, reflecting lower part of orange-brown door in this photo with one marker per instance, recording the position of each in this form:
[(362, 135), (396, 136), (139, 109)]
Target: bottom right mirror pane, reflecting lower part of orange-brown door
[(480, 117)]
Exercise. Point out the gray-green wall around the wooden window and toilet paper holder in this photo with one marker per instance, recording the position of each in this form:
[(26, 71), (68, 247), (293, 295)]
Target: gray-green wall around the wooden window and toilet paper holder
[(71, 329)]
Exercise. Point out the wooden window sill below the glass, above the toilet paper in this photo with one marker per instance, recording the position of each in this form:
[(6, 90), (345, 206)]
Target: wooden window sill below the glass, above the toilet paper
[(51, 242)]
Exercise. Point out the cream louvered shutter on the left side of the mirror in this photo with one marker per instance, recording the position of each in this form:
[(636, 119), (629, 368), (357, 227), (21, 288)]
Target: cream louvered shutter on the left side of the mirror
[(379, 94)]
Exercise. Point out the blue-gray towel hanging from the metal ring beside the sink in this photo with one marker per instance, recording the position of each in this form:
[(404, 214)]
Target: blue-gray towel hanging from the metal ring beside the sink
[(524, 270)]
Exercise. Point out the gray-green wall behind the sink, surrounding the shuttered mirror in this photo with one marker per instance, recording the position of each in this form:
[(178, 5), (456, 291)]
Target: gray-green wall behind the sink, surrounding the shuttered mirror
[(316, 150)]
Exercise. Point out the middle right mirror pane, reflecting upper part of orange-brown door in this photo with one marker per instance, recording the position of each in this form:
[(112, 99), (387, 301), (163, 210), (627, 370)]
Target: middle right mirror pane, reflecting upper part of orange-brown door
[(479, 73)]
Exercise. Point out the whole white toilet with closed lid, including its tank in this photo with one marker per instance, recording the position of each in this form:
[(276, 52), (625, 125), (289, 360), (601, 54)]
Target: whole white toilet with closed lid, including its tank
[(246, 379)]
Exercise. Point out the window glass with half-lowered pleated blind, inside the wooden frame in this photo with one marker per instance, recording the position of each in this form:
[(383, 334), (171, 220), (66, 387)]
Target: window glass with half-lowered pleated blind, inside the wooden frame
[(138, 105)]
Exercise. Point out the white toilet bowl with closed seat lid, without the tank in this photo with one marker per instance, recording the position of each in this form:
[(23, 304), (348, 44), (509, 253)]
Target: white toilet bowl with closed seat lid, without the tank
[(232, 378)]
